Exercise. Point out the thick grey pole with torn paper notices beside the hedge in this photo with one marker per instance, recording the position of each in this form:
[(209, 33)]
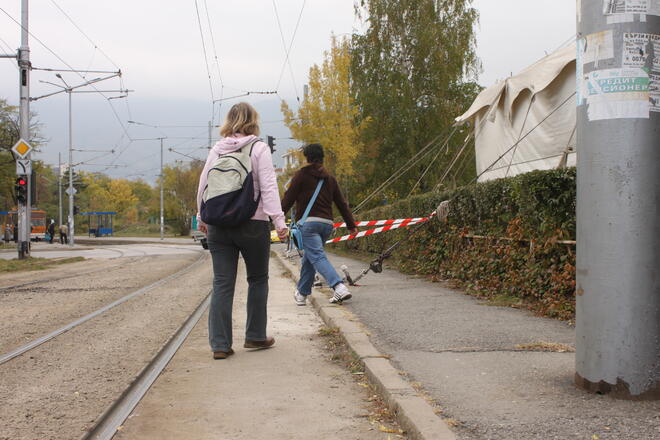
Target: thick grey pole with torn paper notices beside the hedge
[(618, 189)]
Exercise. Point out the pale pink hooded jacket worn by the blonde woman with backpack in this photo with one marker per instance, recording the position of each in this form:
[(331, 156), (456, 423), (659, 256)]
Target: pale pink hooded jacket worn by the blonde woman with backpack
[(264, 178)]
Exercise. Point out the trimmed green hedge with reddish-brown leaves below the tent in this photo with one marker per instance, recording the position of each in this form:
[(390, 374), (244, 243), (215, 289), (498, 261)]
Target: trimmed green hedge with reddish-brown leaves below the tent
[(523, 218)]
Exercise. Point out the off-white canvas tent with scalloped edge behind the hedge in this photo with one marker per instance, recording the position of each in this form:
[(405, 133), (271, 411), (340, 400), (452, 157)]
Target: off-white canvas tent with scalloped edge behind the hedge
[(521, 125)]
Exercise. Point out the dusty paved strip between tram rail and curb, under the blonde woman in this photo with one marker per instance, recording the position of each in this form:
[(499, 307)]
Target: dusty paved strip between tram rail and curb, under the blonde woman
[(292, 391)]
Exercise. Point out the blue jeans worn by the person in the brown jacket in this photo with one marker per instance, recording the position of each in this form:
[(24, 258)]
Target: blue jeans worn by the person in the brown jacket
[(314, 259)]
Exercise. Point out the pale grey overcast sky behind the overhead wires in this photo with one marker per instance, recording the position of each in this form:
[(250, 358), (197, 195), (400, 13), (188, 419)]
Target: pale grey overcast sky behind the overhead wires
[(160, 48)]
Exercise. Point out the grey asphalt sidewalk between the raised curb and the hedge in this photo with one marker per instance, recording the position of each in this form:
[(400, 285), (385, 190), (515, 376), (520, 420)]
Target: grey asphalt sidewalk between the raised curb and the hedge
[(483, 366)]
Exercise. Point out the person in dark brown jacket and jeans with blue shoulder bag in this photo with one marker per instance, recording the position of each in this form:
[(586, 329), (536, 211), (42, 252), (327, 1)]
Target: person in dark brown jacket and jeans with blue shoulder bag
[(319, 224)]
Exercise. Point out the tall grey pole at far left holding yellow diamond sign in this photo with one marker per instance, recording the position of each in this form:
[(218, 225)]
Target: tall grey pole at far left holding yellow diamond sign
[(23, 209)]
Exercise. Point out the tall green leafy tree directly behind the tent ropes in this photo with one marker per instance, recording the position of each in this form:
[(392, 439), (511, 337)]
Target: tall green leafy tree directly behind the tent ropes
[(412, 72)]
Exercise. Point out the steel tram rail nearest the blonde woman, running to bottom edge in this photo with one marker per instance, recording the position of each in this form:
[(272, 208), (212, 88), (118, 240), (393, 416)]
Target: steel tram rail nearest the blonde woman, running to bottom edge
[(120, 409)]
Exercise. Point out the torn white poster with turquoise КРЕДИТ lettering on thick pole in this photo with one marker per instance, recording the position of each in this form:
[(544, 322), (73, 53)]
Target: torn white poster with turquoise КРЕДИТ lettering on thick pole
[(617, 94)]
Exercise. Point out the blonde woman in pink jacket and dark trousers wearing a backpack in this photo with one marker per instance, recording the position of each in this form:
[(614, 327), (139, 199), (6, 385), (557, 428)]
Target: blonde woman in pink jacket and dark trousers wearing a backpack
[(251, 237)]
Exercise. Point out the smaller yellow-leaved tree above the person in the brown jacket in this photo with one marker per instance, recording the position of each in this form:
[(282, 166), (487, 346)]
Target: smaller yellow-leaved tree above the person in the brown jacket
[(327, 114)]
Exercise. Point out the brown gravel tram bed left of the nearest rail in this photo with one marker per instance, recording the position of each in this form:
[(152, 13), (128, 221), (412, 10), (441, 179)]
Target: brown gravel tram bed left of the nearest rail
[(57, 390)]
